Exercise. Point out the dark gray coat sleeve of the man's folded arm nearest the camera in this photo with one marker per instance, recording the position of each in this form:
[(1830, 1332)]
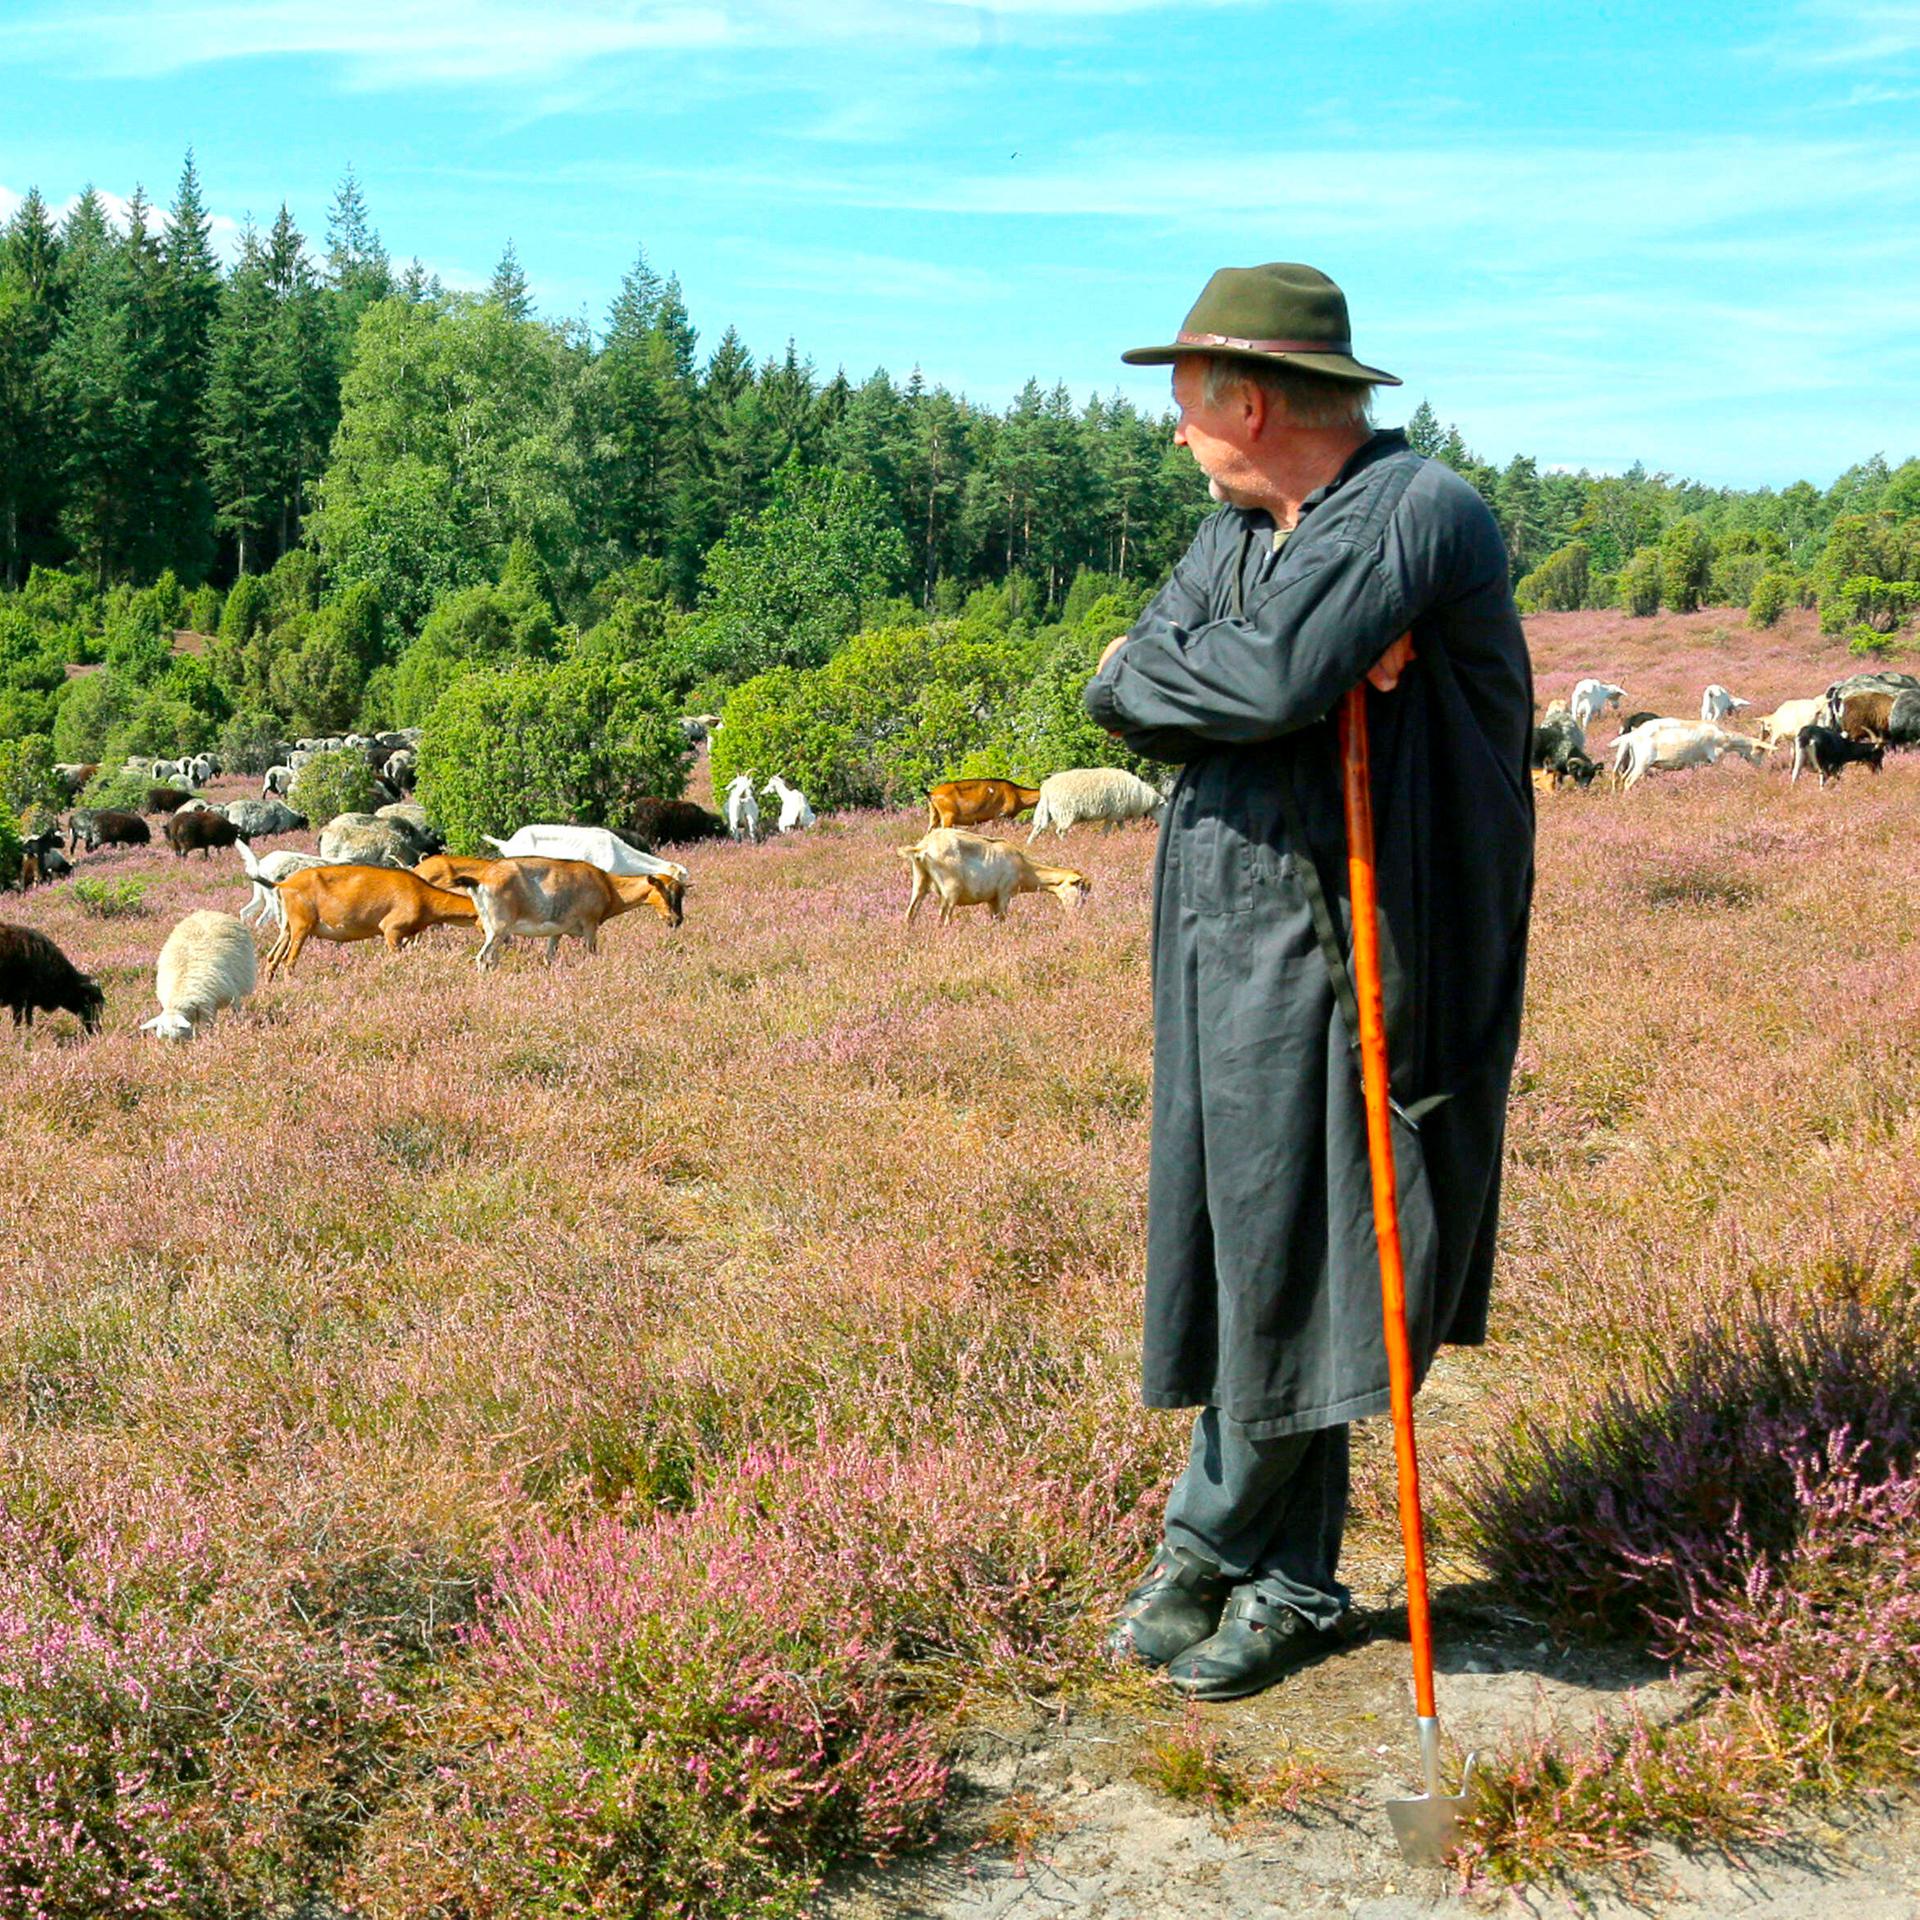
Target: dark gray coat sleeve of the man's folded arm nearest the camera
[(1284, 665)]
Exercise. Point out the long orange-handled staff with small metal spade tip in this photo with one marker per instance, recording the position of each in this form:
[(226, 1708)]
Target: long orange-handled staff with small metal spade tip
[(1429, 1825)]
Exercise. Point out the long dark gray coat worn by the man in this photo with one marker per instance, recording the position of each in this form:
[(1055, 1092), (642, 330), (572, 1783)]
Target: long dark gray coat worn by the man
[(1262, 1278)]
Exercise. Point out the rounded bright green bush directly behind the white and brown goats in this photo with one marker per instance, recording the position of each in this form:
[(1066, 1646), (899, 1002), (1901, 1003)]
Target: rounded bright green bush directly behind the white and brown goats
[(581, 742)]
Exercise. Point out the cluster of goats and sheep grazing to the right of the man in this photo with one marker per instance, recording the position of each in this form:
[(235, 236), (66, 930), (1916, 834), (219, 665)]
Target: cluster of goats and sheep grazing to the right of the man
[(1856, 721)]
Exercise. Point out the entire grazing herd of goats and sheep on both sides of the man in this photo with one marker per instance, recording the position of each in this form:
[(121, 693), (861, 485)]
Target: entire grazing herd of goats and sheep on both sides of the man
[(387, 875)]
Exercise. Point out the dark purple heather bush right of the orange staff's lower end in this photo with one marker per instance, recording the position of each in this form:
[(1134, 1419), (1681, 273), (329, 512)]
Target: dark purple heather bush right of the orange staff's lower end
[(1621, 1520)]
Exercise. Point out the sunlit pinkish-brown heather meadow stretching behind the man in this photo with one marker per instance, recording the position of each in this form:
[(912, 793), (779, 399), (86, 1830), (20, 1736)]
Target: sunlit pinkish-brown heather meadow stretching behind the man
[(575, 1441)]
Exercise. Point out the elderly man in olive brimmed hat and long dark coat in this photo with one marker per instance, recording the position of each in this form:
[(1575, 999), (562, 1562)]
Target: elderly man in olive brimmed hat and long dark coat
[(1337, 556)]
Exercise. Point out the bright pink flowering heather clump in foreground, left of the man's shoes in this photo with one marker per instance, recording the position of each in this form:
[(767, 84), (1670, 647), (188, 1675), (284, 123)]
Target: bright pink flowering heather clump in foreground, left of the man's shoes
[(698, 1712)]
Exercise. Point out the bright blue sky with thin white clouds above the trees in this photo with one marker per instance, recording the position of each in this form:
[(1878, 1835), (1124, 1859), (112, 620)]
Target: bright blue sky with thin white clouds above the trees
[(1600, 233)]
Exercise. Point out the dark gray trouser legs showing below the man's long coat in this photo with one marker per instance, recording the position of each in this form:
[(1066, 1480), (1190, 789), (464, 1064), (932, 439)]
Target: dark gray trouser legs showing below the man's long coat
[(1268, 1512)]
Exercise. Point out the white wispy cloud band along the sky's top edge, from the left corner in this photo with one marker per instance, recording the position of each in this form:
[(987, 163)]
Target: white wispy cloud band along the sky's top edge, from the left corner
[(450, 43)]
